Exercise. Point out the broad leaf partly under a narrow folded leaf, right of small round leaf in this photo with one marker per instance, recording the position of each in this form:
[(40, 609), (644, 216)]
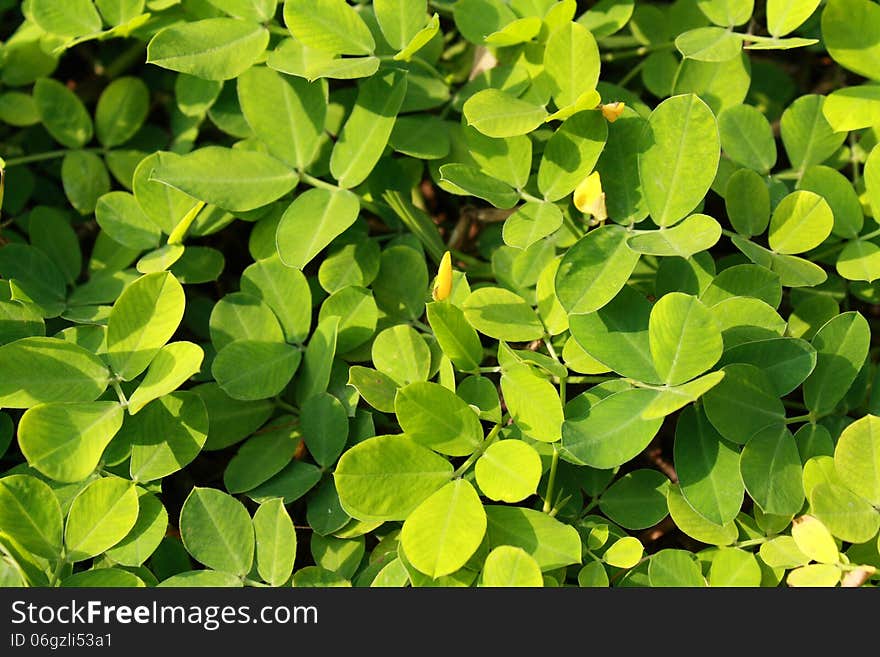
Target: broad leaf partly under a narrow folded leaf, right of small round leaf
[(612, 432)]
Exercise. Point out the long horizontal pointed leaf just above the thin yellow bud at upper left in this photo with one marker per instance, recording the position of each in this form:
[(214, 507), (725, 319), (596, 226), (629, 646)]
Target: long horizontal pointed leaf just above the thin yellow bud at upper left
[(231, 178)]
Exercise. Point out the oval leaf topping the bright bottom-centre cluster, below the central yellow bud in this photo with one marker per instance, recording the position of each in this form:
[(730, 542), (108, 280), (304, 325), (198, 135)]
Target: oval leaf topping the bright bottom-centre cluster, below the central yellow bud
[(433, 416)]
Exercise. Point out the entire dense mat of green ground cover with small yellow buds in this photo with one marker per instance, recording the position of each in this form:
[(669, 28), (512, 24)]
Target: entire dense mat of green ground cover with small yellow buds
[(463, 293)]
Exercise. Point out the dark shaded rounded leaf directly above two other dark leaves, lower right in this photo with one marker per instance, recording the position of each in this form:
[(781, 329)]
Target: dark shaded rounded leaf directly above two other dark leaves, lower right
[(743, 403)]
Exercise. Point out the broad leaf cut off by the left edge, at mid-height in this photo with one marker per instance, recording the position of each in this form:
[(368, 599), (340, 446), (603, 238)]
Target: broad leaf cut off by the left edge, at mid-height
[(38, 370)]
